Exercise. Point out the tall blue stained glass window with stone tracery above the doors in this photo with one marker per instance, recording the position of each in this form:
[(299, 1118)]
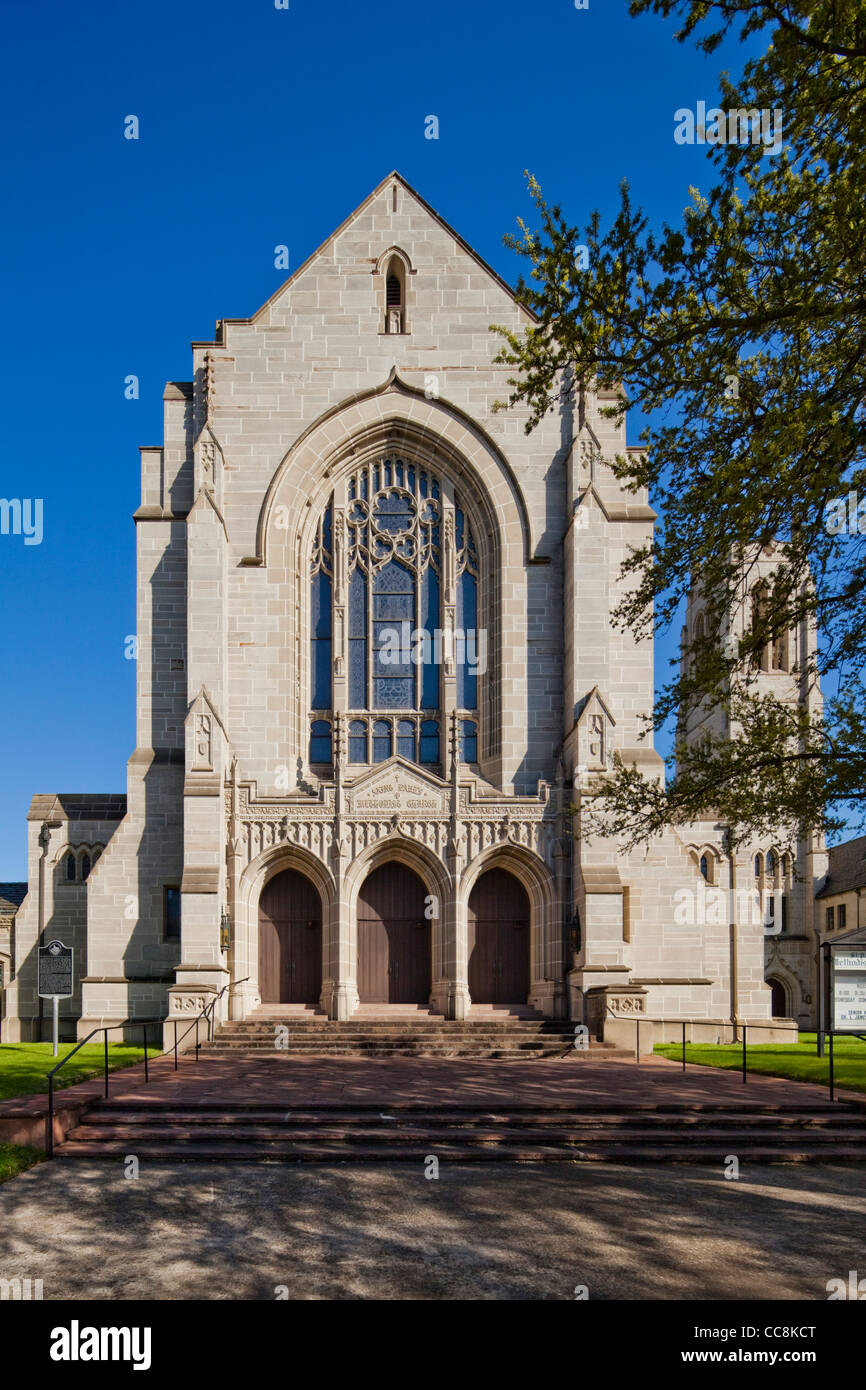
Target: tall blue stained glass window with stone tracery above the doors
[(401, 540)]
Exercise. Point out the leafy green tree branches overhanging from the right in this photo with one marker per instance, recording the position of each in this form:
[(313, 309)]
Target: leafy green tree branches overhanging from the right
[(742, 334)]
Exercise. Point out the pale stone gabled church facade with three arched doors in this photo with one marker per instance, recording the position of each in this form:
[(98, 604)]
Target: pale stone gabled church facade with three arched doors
[(377, 678)]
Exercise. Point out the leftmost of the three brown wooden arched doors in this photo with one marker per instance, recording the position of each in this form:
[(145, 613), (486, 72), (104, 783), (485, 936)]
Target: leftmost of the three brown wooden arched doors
[(290, 940)]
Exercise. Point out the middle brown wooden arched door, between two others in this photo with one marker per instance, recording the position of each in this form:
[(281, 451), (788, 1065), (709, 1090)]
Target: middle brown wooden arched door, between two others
[(394, 945)]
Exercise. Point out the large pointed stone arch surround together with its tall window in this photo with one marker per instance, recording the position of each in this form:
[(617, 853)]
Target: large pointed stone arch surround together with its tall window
[(444, 562)]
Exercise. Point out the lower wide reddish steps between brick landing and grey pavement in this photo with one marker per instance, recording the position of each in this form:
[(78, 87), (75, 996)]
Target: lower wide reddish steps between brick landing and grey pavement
[(414, 1132)]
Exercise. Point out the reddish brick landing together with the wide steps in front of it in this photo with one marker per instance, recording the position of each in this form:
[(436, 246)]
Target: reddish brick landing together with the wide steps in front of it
[(320, 1110)]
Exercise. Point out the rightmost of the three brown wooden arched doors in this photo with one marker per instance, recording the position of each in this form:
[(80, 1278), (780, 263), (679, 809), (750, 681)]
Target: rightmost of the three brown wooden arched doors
[(498, 940)]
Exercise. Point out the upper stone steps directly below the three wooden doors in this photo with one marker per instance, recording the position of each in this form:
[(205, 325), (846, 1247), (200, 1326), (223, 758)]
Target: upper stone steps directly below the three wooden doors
[(409, 1031)]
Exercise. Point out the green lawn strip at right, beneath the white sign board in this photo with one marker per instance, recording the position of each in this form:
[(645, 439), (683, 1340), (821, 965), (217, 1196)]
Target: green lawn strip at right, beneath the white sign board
[(794, 1061)]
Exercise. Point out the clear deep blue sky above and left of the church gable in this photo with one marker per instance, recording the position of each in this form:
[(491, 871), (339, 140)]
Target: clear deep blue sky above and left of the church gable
[(258, 127)]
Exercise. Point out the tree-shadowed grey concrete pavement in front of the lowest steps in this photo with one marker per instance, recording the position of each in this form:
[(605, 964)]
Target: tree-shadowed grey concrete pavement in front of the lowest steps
[(493, 1232)]
